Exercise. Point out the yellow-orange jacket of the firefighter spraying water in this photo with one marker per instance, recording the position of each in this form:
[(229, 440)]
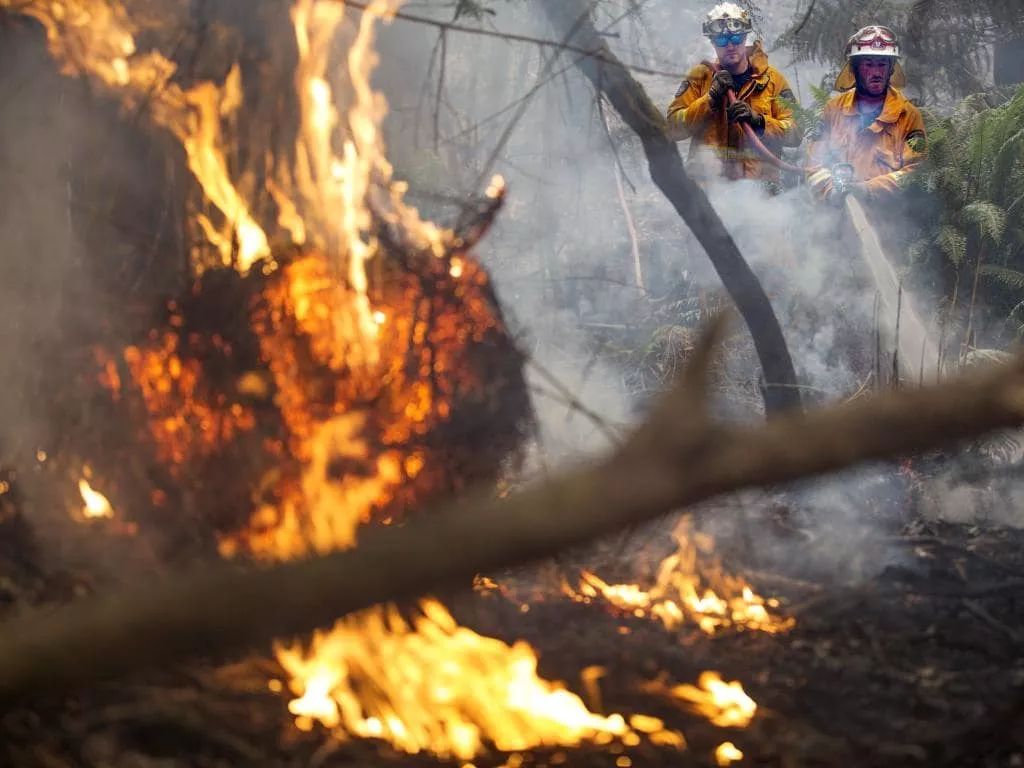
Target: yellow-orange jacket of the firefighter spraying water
[(884, 153)]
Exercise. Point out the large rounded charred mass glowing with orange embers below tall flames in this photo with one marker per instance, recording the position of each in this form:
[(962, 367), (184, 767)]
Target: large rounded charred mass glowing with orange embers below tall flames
[(245, 402)]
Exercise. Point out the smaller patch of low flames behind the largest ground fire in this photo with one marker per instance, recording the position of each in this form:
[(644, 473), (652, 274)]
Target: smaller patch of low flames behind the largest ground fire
[(691, 586)]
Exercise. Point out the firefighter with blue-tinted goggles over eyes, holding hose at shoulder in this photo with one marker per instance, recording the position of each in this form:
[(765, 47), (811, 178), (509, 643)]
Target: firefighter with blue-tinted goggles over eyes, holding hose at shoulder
[(702, 110)]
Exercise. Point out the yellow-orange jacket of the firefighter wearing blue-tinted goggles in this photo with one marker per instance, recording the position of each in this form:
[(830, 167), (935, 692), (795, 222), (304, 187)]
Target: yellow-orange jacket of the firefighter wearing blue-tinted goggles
[(692, 116)]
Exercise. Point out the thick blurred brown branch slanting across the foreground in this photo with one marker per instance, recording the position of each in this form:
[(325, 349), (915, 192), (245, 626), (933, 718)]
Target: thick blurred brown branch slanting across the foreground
[(678, 457)]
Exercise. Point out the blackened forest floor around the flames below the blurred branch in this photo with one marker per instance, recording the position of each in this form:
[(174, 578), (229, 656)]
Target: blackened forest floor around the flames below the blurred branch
[(919, 664)]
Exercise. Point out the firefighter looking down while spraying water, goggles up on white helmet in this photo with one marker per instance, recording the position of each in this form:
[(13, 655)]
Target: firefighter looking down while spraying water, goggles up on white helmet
[(871, 130)]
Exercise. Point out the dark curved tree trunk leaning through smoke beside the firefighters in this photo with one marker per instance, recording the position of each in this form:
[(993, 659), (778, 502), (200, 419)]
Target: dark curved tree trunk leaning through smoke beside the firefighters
[(631, 102)]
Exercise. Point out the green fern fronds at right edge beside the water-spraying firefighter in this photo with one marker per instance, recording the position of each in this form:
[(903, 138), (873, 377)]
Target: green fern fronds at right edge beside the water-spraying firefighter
[(969, 194)]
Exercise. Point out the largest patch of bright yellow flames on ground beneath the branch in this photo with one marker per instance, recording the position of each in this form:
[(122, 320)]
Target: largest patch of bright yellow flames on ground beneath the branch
[(433, 686)]
